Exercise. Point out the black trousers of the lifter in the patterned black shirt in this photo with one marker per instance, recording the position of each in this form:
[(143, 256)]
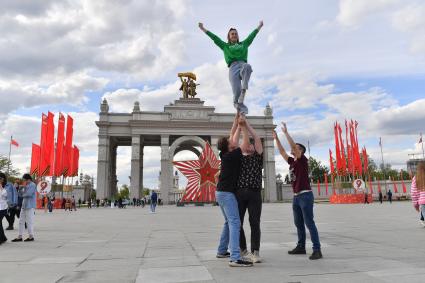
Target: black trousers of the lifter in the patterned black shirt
[(250, 200)]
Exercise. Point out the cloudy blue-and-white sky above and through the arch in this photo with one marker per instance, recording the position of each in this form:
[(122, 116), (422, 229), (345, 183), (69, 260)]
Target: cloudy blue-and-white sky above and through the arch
[(315, 62)]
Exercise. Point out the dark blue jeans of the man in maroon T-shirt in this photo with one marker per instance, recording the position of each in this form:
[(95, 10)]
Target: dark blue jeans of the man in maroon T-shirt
[(302, 205)]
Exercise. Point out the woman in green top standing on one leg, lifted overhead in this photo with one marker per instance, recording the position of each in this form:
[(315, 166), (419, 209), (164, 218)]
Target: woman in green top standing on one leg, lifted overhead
[(236, 57)]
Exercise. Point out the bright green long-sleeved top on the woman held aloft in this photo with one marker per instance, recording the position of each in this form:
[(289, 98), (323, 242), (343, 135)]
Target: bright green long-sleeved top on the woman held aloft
[(234, 51)]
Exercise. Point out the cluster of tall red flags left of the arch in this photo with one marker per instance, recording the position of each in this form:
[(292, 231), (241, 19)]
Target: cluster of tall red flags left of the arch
[(62, 160)]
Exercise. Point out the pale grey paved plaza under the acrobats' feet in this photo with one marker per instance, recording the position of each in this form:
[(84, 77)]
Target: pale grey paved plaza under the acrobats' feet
[(361, 243)]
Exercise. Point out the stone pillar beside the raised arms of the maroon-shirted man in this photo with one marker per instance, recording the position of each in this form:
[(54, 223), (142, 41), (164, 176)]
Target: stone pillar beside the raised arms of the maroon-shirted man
[(270, 193)]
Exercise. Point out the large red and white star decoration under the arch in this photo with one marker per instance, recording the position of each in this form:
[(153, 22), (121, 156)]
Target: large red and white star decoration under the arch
[(202, 176)]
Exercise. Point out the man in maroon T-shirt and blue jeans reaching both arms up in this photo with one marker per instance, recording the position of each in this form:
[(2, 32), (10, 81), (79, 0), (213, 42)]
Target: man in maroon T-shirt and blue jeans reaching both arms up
[(302, 204)]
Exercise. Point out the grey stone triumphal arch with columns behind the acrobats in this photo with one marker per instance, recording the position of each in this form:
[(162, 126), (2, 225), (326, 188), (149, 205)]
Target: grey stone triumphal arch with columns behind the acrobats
[(185, 124)]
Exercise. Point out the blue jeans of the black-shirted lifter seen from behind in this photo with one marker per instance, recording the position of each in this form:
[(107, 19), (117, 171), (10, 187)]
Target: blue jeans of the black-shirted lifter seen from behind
[(230, 235)]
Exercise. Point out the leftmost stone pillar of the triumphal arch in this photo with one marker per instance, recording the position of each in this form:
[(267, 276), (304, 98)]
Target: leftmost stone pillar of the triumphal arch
[(103, 158)]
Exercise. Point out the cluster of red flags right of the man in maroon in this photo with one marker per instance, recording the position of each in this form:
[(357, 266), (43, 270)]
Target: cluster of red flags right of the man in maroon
[(348, 160)]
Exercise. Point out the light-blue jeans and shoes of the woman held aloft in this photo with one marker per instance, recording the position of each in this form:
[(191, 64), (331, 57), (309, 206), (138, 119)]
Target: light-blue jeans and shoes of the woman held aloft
[(239, 74)]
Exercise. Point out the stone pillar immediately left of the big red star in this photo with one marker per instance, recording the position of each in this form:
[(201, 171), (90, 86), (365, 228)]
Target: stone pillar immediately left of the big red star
[(166, 170)]
